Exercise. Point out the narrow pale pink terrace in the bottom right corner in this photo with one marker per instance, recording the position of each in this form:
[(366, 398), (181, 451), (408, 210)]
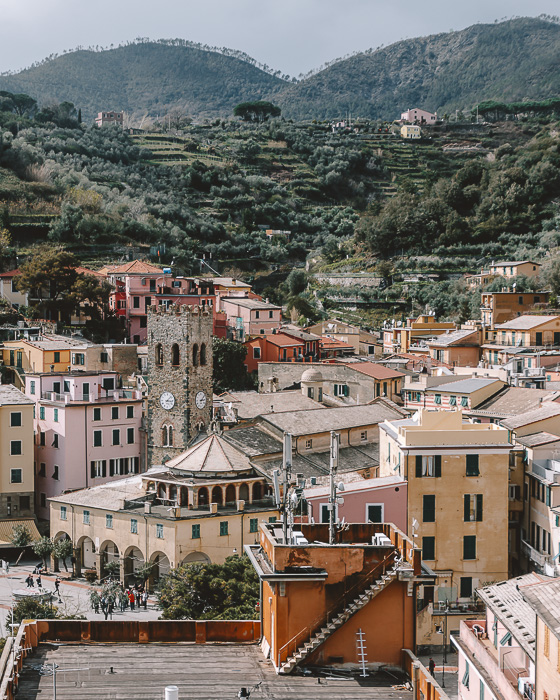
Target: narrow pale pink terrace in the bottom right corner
[(507, 667)]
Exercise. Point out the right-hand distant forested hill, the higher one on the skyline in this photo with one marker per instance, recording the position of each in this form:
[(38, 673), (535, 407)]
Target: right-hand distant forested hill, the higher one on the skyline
[(508, 61)]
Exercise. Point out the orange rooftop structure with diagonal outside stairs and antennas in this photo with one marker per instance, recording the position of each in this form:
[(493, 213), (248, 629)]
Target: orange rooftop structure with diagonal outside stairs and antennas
[(317, 597)]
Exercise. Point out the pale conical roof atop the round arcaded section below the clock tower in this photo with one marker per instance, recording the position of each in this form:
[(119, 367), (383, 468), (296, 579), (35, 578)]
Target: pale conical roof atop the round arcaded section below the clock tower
[(212, 455)]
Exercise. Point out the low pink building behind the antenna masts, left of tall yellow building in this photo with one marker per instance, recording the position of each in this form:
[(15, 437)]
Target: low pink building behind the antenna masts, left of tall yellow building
[(380, 500)]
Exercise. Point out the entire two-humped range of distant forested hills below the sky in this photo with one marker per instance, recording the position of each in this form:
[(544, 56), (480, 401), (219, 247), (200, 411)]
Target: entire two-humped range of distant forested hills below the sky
[(508, 61)]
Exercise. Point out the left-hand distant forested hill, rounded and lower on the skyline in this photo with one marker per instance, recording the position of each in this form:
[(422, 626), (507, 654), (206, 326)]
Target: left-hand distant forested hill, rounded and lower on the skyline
[(146, 78)]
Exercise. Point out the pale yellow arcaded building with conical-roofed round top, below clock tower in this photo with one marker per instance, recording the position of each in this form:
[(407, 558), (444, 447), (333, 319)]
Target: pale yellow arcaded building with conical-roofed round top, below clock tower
[(202, 506)]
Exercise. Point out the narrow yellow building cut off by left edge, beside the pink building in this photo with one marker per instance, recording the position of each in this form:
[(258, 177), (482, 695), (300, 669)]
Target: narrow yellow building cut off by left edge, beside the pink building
[(16, 453)]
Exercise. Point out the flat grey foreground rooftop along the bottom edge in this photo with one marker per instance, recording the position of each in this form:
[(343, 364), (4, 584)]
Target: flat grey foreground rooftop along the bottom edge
[(201, 672)]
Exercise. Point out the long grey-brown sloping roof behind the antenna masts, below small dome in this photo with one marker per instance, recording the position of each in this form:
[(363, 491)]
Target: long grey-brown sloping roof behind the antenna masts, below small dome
[(323, 420)]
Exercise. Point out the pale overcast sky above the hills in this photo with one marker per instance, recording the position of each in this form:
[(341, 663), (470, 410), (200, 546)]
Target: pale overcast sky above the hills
[(289, 35)]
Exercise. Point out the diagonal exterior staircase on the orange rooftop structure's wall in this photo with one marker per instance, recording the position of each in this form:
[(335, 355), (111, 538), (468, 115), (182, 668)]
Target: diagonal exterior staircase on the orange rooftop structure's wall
[(331, 625)]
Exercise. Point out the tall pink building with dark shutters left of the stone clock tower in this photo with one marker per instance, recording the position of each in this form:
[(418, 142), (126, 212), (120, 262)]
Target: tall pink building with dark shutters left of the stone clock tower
[(87, 431)]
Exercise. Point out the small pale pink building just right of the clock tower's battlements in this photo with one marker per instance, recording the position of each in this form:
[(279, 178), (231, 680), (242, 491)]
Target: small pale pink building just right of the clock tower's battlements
[(246, 317)]
